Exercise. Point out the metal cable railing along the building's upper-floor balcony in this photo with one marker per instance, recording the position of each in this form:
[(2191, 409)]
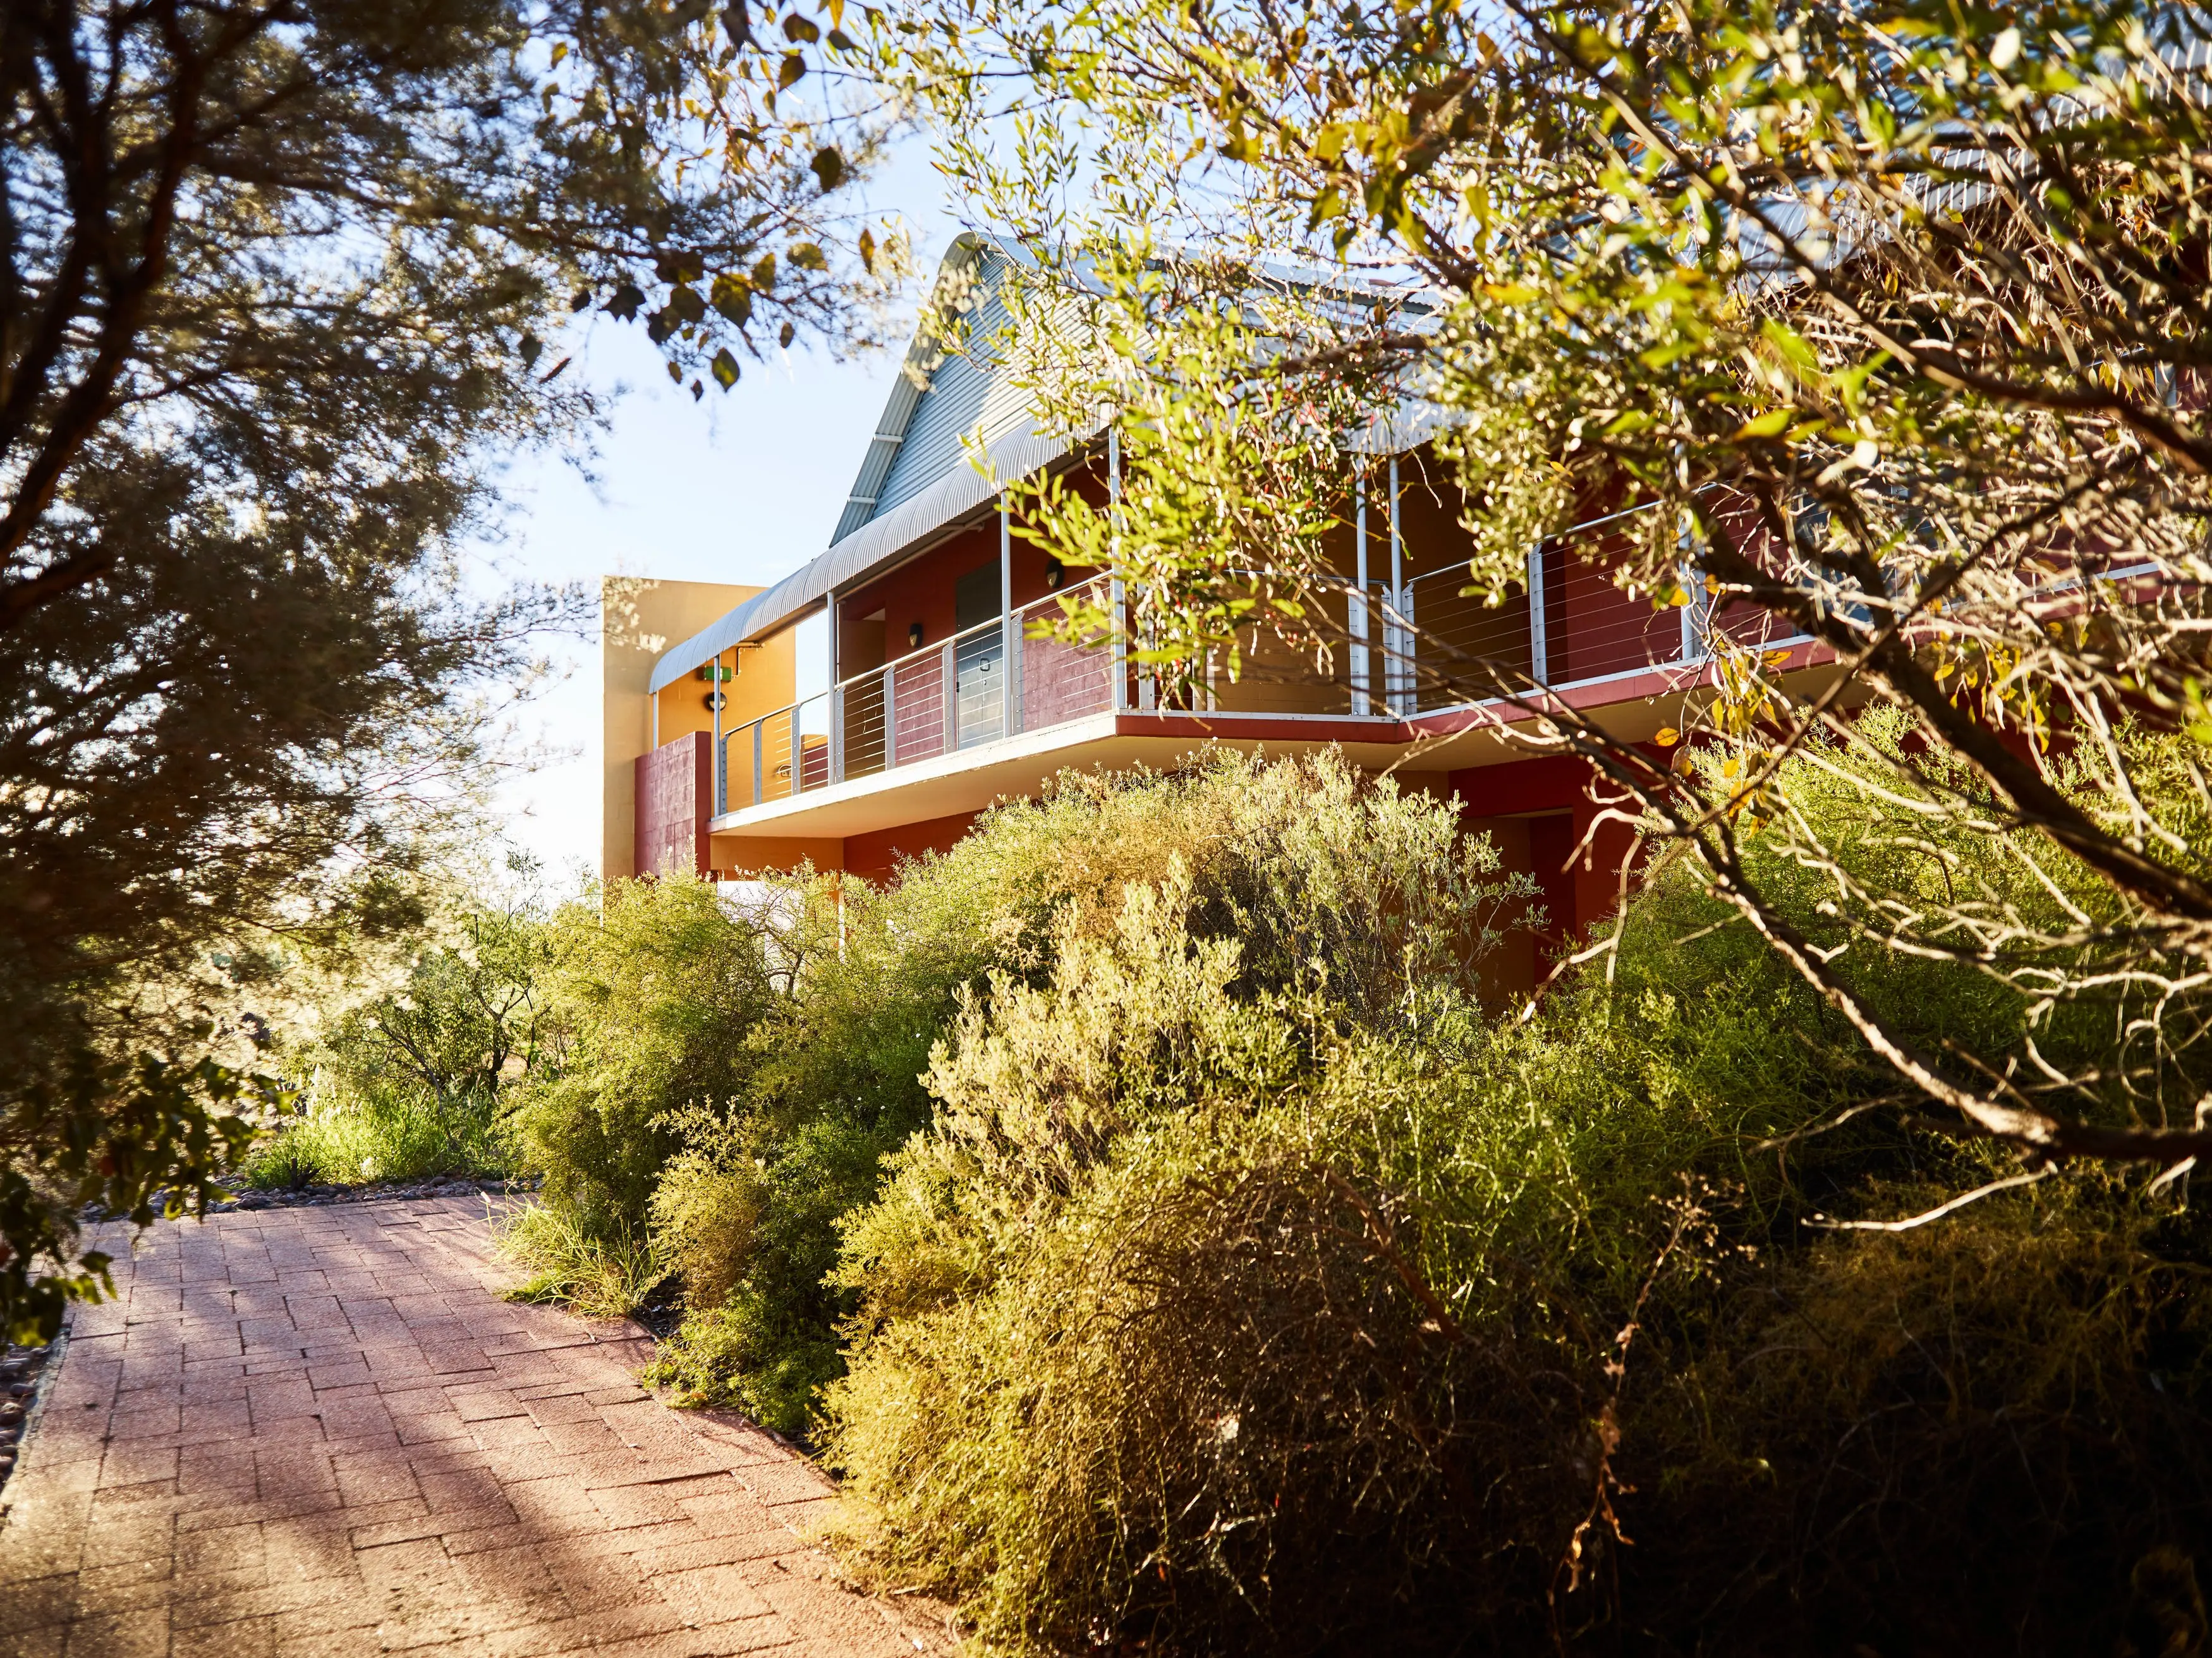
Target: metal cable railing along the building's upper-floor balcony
[(1567, 628)]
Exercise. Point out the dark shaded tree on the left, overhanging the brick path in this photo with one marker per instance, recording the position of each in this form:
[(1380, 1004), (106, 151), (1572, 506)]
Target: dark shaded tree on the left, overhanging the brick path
[(278, 284)]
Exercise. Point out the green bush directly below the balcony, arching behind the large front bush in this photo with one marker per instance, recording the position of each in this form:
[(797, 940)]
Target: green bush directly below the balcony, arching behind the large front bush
[(1302, 864)]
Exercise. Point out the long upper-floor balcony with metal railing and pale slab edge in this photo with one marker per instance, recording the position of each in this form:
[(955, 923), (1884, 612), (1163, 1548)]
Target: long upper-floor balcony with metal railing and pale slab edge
[(1001, 707)]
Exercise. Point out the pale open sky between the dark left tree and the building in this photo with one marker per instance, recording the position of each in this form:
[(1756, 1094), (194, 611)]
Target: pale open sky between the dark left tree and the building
[(738, 488)]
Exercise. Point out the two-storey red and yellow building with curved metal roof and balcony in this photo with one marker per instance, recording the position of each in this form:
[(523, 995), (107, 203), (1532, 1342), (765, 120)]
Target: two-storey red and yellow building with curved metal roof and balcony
[(868, 707)]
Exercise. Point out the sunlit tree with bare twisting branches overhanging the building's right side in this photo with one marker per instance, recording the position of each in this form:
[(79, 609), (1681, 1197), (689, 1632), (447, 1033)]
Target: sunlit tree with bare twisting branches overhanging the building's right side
[(1892, 324)]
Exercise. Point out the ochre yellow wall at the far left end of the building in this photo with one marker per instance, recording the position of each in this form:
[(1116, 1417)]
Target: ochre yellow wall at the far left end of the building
[(638, 621)]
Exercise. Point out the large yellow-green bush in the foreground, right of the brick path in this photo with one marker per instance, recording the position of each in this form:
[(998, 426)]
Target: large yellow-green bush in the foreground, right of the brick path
[(1280, 1301)]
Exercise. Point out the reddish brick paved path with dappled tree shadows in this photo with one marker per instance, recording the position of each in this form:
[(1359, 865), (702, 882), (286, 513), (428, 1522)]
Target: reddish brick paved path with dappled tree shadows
[(320, 1431)]
